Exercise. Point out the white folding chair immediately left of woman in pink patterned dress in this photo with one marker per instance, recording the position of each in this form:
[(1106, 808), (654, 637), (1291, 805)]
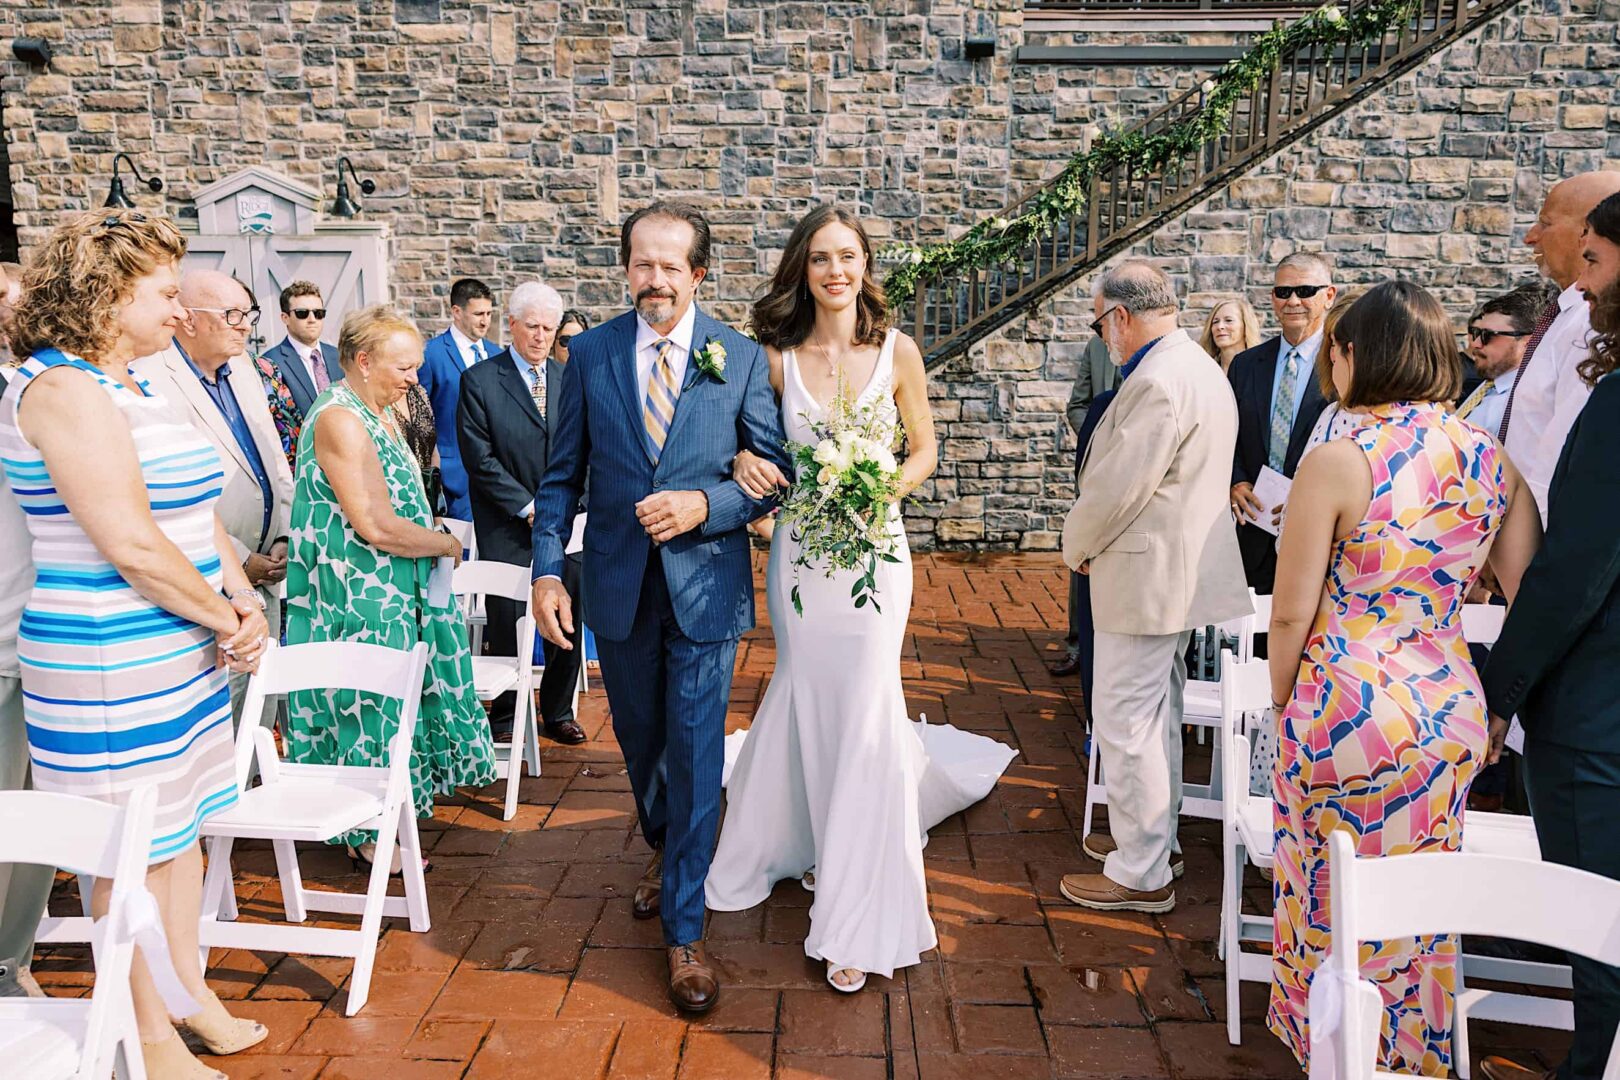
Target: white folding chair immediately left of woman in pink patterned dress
[(1247, 830)]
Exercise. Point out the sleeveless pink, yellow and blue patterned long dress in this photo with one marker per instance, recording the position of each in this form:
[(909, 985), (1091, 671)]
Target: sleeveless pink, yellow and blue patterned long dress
[(1388, 725)]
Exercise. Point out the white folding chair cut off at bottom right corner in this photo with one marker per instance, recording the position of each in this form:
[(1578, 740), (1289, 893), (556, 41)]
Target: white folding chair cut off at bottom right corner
[(1404, 896)]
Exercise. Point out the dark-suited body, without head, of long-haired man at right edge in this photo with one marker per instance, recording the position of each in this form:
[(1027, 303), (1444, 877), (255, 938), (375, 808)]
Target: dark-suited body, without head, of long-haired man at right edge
[(1554, 668)]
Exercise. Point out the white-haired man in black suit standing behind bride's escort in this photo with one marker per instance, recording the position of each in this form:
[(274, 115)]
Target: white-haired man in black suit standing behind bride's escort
[(503, 427)]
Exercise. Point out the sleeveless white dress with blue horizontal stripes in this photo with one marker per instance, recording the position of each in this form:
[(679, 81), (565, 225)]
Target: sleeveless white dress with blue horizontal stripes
[(117, 692)]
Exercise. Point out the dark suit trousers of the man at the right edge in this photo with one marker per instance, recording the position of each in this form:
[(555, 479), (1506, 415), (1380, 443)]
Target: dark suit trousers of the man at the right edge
[(1575, 799)]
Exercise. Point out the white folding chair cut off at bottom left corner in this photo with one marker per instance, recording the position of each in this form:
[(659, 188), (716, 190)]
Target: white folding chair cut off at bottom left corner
[(54, 1039)]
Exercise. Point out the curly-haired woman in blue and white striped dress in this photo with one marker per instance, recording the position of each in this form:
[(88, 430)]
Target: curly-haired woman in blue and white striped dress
[(129, 634)]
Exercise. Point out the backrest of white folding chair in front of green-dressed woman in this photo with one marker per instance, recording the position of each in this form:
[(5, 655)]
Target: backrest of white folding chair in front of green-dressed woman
[(333, 666)]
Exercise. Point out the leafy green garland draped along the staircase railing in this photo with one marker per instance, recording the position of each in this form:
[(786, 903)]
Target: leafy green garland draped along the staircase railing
[(999, 240)]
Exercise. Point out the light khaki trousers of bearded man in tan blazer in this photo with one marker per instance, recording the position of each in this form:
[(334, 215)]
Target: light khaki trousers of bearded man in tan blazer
[(1136, 723)]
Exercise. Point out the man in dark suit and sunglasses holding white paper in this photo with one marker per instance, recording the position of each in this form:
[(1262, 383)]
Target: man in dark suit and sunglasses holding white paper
[(1279, 402)]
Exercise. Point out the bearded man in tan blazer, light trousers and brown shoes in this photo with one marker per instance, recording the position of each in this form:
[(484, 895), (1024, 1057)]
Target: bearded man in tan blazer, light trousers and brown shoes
[(1154, 530)]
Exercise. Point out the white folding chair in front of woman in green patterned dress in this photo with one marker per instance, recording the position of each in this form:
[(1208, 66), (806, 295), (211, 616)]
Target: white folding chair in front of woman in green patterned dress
[(318, 804)]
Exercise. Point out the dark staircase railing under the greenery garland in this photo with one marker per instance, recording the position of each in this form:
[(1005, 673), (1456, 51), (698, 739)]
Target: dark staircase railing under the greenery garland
[(1305, 88)]
